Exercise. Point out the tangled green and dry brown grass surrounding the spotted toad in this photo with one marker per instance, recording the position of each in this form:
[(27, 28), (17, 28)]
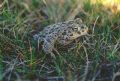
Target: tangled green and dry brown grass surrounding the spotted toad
[(20, 59)]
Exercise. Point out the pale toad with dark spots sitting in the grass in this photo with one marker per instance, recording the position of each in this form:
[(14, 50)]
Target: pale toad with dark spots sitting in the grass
[(63, 33)]
